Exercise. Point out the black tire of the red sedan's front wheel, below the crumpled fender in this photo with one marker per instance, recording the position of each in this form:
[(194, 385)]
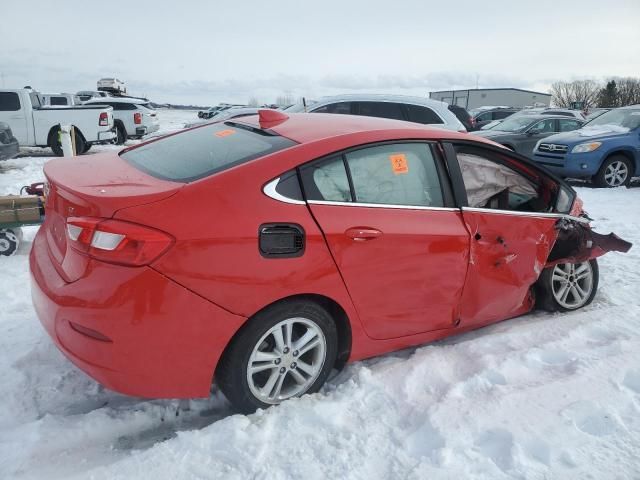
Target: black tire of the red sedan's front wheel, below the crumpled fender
[(547, 295)]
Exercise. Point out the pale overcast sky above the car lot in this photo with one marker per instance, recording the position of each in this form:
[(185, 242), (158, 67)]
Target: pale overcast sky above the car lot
[(204, 52)]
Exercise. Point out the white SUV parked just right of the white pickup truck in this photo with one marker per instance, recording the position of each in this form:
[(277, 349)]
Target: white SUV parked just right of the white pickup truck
[(133, 118)]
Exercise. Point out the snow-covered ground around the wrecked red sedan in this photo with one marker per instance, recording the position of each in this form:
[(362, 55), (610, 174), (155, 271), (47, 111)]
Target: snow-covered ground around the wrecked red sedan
[(539, 397)]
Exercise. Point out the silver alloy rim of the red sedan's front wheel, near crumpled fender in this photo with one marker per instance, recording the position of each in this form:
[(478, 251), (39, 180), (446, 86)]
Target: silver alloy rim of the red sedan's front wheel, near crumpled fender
[(572, 284)]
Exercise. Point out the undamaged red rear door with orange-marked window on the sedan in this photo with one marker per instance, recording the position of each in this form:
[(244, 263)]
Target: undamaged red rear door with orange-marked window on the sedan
[(390, 223)]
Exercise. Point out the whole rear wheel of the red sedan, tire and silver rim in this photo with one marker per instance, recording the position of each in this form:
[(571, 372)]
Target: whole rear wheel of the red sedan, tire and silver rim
[(286, 351)]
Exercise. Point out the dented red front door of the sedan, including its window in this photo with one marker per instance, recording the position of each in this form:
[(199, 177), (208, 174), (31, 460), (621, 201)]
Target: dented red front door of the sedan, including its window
[(507, 211)]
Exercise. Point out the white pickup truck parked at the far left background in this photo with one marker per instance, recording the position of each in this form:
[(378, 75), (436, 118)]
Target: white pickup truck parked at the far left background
[(35, 125)]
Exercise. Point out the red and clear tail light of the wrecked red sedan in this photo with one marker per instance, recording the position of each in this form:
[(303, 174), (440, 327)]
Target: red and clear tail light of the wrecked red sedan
[(115, 241)]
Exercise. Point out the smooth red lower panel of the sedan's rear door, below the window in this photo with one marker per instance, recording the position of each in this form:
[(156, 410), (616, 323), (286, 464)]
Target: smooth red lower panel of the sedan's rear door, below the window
[(408, 278)]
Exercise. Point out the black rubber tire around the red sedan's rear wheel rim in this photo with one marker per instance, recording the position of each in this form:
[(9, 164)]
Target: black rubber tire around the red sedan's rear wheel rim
[(231, 373)]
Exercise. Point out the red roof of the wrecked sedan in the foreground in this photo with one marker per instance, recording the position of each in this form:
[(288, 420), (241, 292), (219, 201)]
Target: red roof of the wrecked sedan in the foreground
[(306, 128)]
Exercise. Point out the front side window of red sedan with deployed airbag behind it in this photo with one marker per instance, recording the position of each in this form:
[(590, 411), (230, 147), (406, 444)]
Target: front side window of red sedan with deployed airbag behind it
[(490, 183)]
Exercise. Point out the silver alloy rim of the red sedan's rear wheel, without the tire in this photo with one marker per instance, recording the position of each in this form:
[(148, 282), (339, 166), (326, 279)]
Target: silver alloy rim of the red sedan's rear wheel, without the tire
[(287, 360)]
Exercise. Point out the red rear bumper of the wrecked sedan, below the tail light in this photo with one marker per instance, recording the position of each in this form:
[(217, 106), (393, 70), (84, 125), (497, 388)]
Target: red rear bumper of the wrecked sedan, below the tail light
[(131, 329)]
